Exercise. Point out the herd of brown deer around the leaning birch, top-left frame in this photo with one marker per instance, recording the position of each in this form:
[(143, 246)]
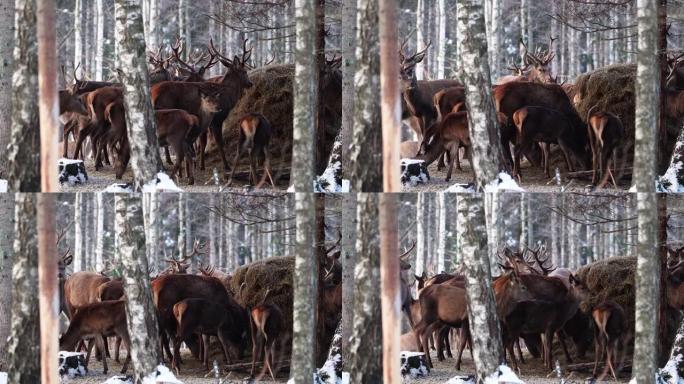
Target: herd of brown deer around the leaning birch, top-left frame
[(187, 108)]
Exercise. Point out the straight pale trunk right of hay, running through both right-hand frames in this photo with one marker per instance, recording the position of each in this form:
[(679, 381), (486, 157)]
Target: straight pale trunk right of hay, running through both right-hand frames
[(648, 264)]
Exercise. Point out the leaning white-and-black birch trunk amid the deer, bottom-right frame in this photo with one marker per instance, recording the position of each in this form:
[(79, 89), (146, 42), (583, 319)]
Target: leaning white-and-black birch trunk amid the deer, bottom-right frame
[(484, 324)]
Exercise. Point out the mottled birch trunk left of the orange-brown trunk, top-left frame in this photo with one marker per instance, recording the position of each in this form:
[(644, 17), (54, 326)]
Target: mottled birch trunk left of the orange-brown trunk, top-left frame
[(23, 158)]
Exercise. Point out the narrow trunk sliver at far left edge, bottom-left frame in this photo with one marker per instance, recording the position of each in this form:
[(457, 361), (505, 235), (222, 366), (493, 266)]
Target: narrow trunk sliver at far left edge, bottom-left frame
[(6, 251)]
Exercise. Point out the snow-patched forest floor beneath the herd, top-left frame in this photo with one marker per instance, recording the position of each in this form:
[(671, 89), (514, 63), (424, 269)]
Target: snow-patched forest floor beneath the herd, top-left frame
[(99, 180)]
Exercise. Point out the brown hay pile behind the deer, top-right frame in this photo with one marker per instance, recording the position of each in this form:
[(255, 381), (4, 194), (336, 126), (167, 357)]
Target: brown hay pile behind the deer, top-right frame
[(612, 89)]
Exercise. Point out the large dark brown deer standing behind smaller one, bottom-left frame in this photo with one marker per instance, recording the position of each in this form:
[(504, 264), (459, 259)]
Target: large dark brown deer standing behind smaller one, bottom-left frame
[(169, 289)]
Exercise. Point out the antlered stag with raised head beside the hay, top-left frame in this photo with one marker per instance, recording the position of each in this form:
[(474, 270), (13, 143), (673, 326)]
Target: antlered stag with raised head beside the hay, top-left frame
[(172, 95)]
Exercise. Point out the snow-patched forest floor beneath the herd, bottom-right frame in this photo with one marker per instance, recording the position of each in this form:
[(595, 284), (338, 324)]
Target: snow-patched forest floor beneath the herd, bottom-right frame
[(532, 372)]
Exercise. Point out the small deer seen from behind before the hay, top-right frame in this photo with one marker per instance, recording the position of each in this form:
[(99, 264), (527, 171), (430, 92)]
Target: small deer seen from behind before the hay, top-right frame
[(605, 137)]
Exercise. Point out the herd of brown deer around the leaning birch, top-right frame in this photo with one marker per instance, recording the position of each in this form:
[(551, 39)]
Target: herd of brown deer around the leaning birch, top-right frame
[(533, 111)]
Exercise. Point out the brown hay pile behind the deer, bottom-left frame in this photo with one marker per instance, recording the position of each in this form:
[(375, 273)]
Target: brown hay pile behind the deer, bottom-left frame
[(274, 274)]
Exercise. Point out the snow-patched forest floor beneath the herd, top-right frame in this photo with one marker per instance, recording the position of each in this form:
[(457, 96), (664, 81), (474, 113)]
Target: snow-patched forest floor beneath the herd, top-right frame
[(534, 179)]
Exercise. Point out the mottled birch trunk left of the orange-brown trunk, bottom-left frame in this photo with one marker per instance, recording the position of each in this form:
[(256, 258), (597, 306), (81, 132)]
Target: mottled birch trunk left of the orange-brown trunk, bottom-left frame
[(24, 344)]
